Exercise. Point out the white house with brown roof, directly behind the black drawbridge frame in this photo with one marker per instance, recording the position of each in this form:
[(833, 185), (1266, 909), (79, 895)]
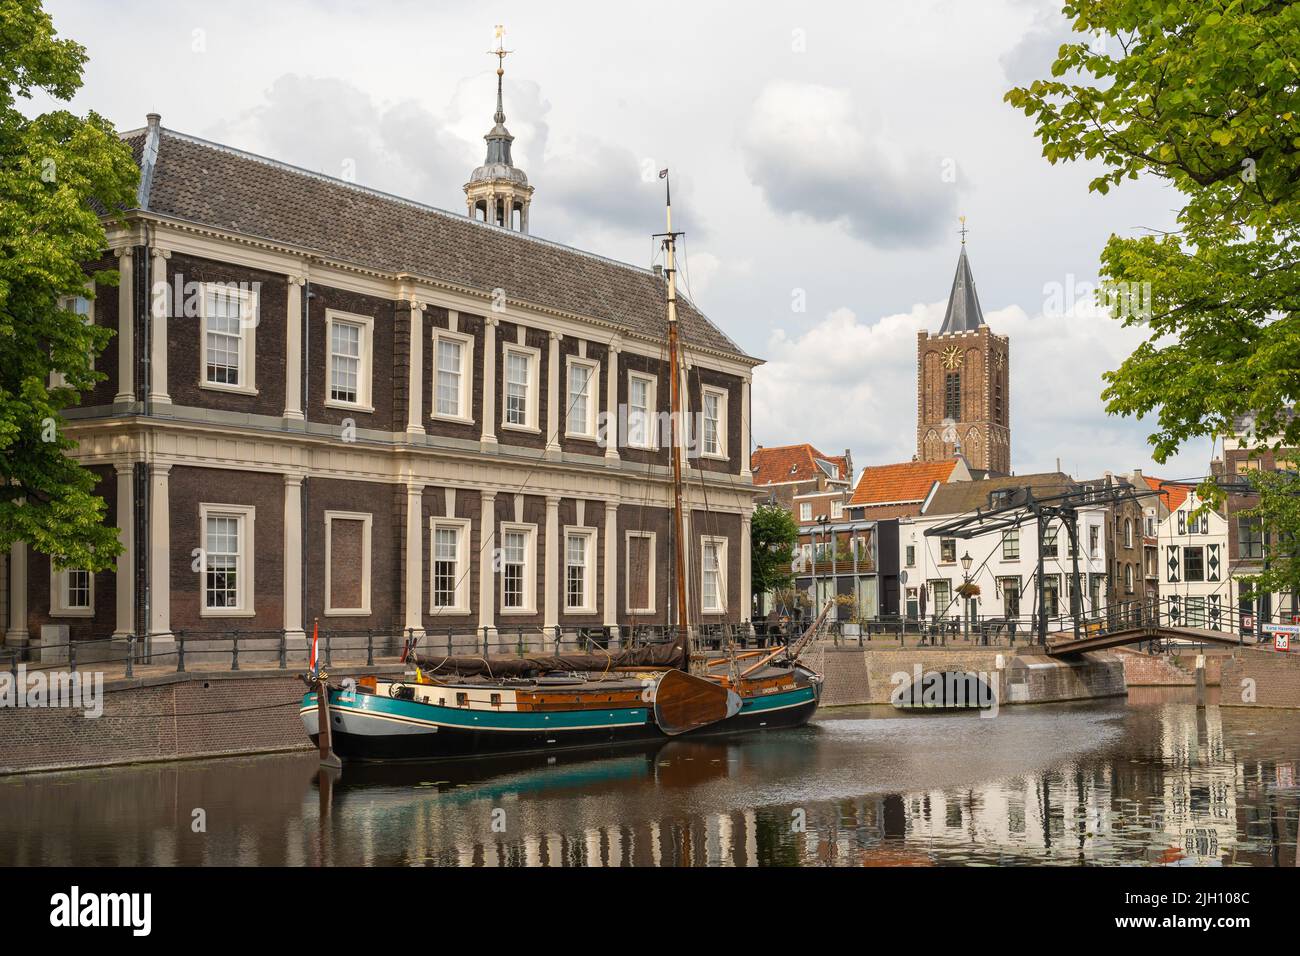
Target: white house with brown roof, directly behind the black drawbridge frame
[(1003, 564)]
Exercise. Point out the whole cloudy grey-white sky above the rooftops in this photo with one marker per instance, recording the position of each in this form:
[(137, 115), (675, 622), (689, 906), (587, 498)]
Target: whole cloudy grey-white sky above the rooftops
[(821, 153)]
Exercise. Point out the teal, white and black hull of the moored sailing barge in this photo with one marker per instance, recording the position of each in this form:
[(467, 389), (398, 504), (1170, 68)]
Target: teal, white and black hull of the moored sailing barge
[(370, 728)]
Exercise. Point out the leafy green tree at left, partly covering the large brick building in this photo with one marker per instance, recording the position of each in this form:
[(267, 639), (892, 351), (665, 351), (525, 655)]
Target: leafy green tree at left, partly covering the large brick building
[(57, 172)]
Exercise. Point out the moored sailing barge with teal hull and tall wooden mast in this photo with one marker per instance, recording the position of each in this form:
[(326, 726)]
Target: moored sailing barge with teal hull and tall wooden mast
[(469, 707)]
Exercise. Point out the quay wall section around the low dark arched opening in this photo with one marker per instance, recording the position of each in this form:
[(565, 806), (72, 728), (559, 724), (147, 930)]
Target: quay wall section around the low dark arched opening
[(856, 676)]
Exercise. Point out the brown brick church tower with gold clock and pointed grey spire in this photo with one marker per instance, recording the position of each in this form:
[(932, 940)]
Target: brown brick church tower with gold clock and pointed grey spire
[(964, 384)]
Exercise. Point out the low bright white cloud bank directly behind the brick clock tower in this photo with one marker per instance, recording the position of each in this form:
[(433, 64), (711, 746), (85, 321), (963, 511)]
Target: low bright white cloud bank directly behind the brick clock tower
[(855, 384)]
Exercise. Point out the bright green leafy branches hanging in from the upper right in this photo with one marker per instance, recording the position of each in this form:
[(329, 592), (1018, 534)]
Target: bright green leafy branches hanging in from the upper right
[(1206, 97)]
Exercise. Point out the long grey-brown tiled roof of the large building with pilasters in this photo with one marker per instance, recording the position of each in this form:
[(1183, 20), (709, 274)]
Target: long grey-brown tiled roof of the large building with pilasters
[(237, 192)]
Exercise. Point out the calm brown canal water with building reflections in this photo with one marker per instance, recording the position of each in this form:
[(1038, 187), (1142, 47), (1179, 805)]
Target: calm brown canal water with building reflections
[(1150, 781)]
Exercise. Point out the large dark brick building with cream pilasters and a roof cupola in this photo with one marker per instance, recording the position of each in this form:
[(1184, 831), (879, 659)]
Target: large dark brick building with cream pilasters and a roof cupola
[(328, 403)]
